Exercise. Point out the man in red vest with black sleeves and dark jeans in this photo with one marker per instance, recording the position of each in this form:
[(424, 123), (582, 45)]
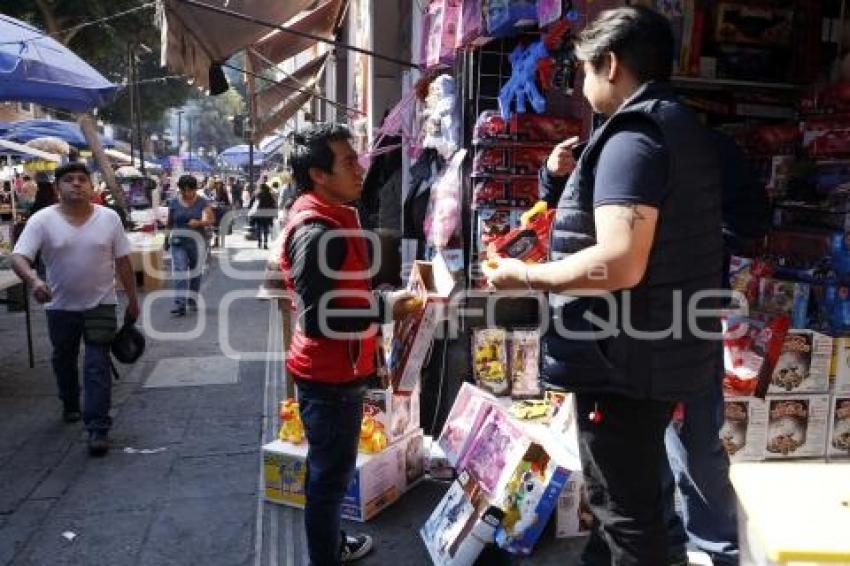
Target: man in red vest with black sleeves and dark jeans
[(326, 266)]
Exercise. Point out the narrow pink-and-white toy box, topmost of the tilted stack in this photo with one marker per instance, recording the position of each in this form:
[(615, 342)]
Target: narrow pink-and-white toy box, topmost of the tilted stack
[(471, 407)]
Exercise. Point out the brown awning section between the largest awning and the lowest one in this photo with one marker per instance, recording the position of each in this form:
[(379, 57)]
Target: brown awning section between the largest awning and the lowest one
[(279, 46)]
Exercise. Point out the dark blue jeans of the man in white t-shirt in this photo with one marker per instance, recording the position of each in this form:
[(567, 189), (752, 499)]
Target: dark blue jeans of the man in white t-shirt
[(66, 333)]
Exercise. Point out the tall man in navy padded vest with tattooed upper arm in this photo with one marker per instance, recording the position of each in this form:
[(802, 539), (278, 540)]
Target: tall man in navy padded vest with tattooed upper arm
[(636, 259)]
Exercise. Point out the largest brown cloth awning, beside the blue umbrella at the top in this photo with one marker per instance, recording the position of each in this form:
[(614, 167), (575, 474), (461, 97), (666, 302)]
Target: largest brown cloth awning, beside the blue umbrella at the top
[(193, 38)]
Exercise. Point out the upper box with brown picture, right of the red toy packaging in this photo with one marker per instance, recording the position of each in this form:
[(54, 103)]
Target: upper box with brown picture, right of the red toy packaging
[(803, 365)]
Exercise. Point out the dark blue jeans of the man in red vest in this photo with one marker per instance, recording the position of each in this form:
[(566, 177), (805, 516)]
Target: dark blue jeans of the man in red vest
[(331, 415)]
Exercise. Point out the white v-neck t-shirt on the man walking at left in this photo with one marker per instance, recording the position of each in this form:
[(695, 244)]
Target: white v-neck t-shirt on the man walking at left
[(80, 260)]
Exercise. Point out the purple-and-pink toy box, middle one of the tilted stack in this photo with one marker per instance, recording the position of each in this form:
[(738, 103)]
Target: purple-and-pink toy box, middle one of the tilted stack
[(496, 450)]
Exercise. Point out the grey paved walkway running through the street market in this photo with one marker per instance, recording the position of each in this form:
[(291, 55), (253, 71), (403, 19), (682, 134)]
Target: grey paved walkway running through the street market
[(181, 484)]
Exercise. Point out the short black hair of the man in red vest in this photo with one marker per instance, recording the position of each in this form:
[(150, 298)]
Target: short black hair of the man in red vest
[(313, 149)]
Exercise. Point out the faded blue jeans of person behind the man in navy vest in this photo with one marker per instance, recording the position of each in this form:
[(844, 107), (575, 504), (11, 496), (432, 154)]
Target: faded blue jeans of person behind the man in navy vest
[(699, 467)]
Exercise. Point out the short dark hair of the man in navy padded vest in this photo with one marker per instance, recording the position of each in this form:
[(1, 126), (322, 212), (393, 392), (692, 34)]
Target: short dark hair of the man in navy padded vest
[(641, 38)]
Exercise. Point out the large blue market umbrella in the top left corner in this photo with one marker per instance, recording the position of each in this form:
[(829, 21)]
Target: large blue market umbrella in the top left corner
[(34, 67)]
